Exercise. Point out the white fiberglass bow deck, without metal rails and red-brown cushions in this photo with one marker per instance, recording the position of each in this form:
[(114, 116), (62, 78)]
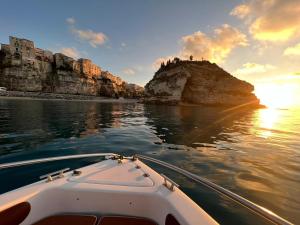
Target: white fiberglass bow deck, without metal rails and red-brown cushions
[(108, 188)]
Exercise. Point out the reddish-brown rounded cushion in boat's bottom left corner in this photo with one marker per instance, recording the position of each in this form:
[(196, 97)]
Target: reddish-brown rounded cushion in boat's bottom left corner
[(15, 214)]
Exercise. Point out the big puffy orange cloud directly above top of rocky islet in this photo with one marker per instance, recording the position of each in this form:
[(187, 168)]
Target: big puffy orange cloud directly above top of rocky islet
[(215, 48)]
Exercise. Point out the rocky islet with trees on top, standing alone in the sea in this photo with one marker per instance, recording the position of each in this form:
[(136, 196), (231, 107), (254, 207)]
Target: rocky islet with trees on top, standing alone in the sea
[(198, 82)]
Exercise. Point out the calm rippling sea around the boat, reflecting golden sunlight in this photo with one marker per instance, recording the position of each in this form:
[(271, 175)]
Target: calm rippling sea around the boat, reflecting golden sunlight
[(255, 153)]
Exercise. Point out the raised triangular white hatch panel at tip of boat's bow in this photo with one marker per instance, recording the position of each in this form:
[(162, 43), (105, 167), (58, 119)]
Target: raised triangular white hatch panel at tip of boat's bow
[(126, 173)]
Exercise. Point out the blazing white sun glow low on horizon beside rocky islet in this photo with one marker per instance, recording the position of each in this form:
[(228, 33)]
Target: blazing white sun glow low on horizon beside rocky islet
[(276, 95)]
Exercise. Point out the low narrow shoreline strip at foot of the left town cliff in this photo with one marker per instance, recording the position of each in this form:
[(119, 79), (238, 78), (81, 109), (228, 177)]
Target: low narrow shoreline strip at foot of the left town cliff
[(20, 95)]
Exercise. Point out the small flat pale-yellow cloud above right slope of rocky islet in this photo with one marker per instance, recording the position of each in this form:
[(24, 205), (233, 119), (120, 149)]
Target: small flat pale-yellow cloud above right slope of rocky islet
[(254, 68)]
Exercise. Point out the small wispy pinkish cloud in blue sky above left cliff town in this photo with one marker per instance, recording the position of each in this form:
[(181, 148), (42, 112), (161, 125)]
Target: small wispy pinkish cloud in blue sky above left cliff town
[(95, 39)]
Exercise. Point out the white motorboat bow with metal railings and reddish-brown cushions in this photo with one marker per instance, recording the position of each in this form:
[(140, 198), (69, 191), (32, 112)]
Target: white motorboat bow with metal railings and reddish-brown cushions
[(118, 190)]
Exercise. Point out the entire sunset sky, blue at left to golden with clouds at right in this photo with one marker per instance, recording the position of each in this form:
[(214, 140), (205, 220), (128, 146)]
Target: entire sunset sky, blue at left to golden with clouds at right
[(255, 40)]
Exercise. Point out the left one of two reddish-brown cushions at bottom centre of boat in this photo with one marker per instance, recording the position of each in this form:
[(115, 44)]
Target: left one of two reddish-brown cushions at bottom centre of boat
[(68, 220)]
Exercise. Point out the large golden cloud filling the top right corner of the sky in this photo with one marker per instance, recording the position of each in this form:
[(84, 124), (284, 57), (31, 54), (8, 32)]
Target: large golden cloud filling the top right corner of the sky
[(270, 20)]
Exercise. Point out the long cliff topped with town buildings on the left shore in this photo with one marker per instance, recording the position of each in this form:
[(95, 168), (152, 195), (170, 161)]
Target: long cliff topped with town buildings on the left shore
[(26, 68)]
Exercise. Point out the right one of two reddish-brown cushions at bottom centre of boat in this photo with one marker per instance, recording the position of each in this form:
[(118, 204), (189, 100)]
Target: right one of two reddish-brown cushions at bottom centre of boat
[(123, 220)]
